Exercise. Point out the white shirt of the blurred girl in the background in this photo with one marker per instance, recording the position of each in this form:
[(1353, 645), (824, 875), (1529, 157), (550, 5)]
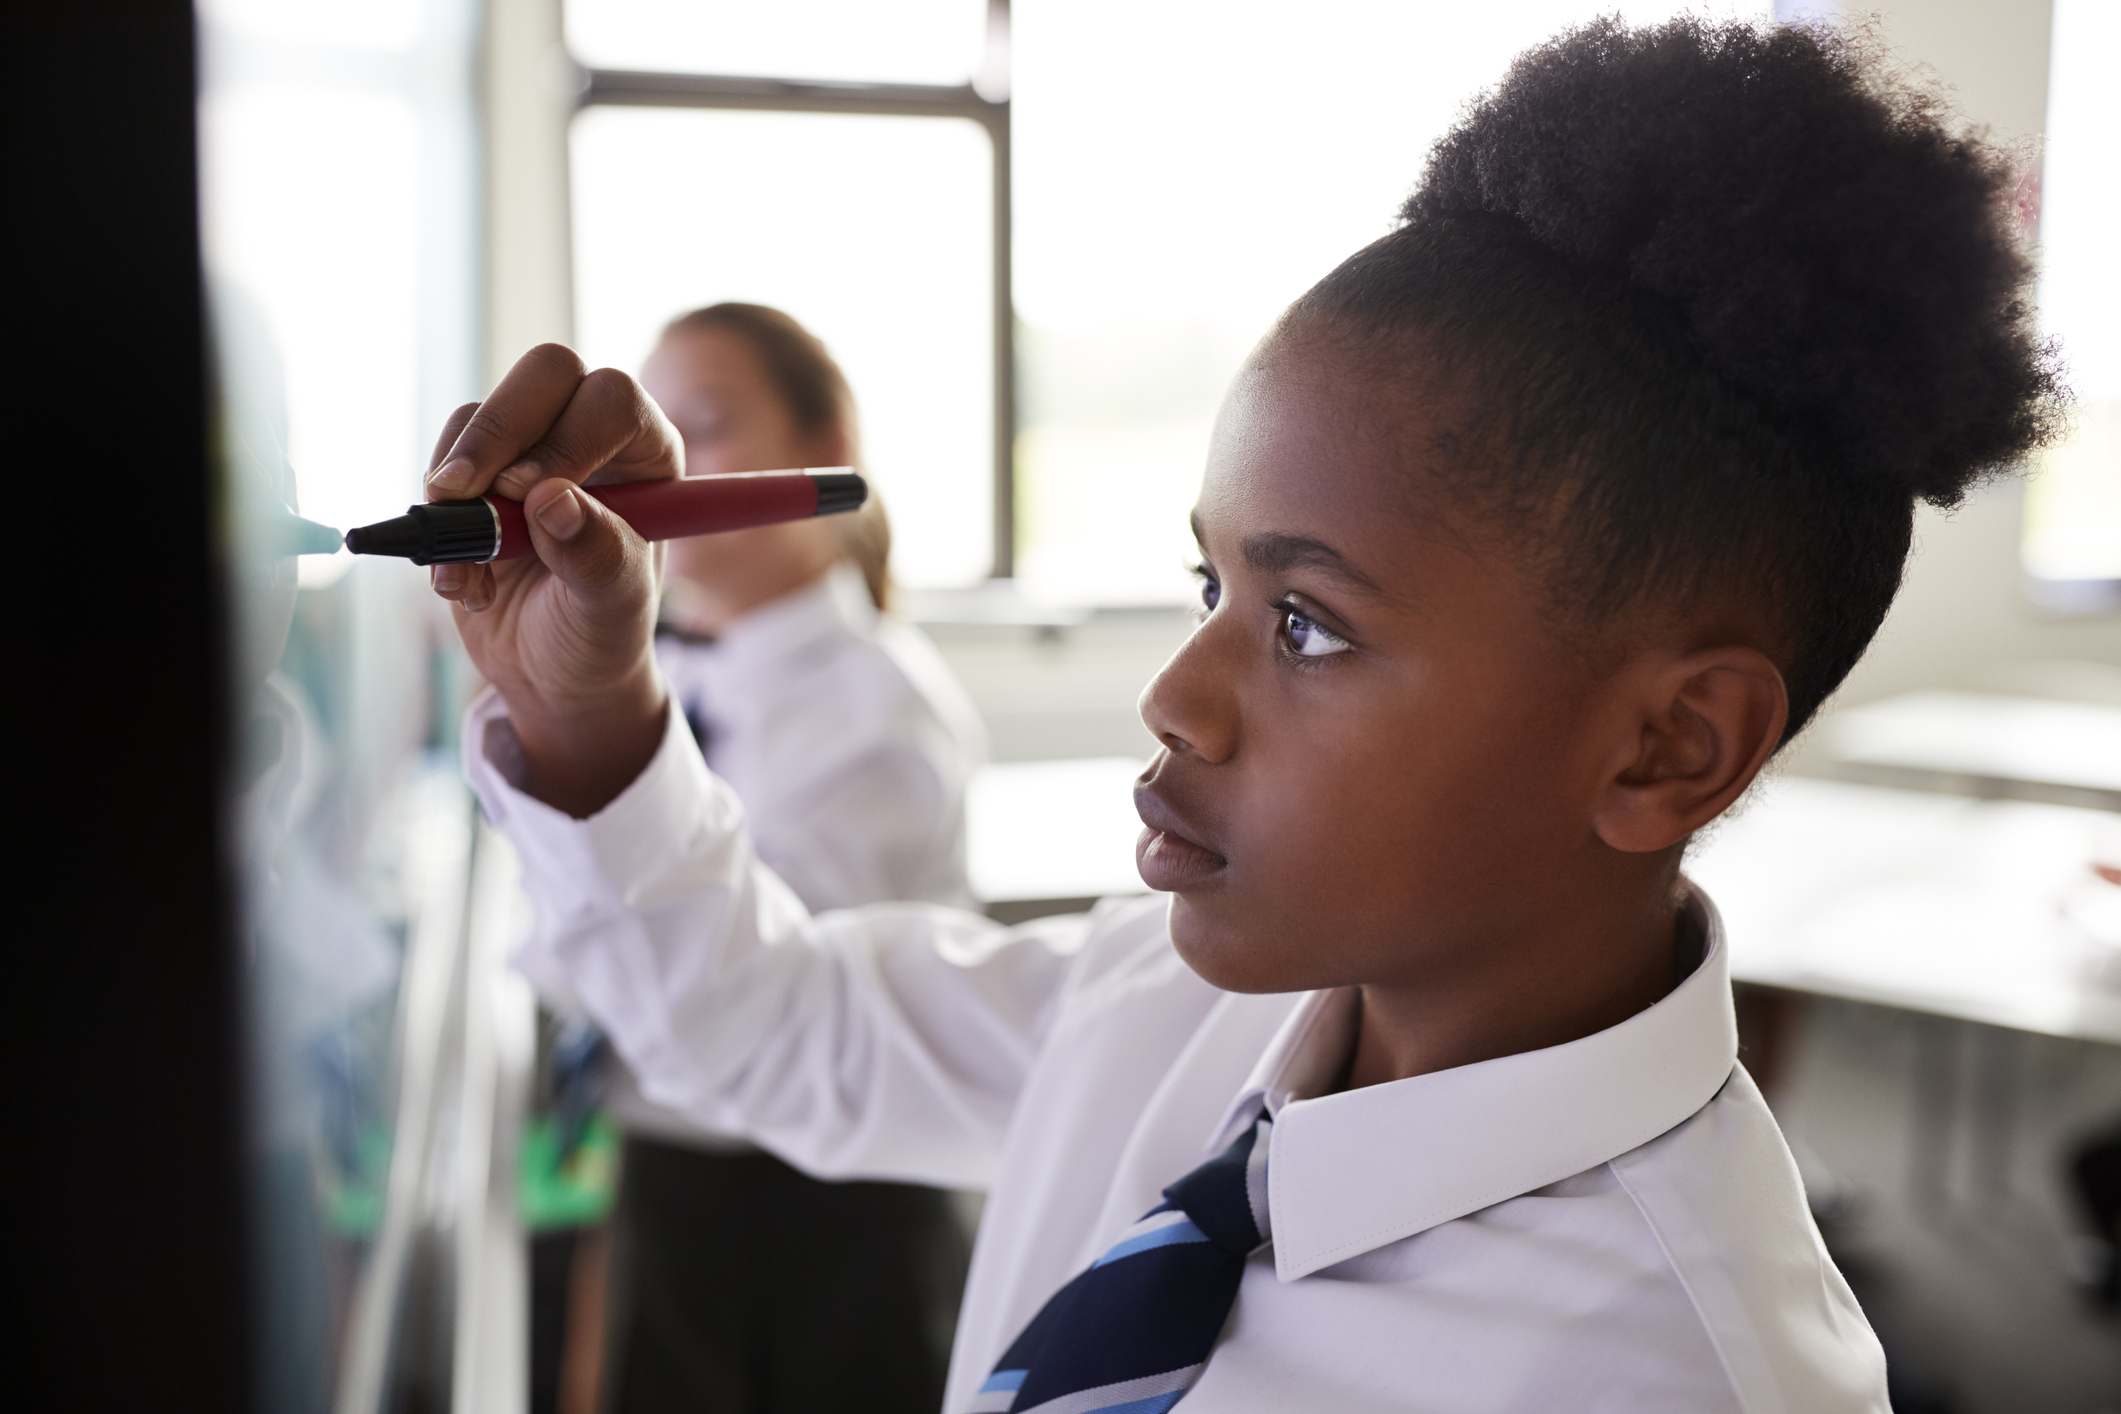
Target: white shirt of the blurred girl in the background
[(847, 743)]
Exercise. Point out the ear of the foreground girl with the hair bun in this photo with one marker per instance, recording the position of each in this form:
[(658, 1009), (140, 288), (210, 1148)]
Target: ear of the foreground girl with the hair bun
[(1704, 726)]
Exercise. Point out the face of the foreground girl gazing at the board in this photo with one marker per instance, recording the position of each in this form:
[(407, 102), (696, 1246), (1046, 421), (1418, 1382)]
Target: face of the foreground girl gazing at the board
[(1378, 762)]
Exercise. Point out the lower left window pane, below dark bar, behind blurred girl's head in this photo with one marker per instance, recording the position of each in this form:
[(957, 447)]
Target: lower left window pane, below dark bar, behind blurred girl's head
[(873, 232)]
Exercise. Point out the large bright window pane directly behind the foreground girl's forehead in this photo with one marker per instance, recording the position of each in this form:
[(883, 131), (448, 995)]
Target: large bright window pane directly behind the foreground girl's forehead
[(1172, 196)]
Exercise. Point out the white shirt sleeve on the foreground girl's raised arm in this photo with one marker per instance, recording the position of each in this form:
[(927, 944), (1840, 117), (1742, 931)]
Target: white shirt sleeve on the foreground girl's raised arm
[(881, 1042)]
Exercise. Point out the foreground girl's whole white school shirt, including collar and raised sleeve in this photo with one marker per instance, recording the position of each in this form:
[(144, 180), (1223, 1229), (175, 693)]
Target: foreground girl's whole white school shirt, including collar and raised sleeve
[(1605, 1226)]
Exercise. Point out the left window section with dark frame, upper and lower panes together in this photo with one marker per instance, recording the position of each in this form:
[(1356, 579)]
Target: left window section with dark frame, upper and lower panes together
[(847, 164)]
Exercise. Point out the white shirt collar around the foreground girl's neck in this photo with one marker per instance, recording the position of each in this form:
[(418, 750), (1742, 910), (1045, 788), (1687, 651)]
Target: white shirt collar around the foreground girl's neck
[(1356, 1171)]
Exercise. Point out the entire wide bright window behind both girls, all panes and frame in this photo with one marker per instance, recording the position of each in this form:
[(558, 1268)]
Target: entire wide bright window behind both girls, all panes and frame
[(1165, 179)]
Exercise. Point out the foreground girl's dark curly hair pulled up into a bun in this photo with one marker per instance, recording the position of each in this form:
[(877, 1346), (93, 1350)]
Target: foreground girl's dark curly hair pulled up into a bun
[(1717, 304)]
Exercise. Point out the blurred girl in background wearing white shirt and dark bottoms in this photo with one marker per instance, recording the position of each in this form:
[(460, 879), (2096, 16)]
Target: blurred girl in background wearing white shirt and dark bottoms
[(849, 745)]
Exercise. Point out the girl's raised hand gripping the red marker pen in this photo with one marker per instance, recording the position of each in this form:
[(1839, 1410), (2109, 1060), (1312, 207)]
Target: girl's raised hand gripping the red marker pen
[(565, 637)]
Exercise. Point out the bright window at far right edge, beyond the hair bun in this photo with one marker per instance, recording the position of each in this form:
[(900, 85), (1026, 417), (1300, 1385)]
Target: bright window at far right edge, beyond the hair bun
[(2073, 512)]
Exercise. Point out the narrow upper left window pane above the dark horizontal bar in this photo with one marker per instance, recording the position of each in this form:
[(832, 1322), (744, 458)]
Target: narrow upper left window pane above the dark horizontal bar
[(907, 41)]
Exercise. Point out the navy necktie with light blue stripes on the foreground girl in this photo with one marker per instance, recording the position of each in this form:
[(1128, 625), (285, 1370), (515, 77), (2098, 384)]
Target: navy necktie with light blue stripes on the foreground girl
[(1134, 1332)]
